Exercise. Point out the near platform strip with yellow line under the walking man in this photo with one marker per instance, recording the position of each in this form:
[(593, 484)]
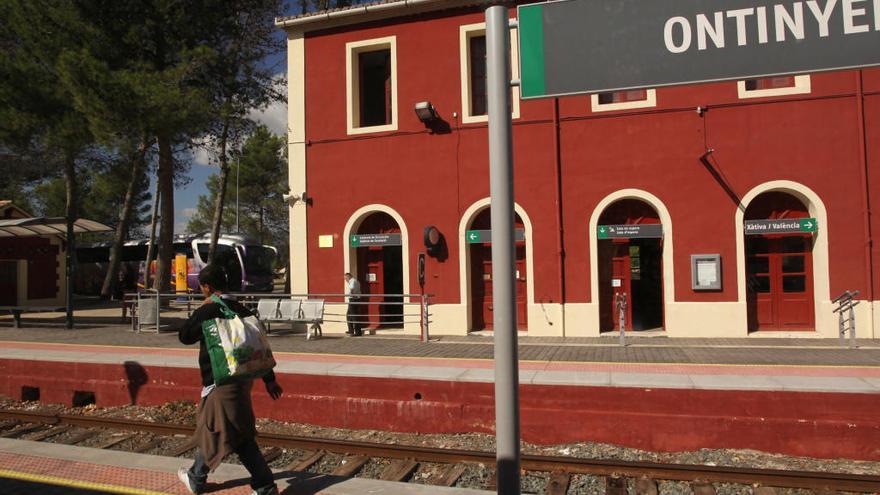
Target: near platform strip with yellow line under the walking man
[(28, 467)]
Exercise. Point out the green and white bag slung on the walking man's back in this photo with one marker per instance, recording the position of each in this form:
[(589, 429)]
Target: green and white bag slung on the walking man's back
[(237, 346)]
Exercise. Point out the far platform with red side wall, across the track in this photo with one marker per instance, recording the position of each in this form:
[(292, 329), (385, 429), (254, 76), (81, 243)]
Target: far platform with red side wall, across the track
[(796, 396)]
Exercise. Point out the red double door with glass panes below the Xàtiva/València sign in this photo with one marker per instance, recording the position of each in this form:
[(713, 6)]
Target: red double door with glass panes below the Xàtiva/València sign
[(780, 282)]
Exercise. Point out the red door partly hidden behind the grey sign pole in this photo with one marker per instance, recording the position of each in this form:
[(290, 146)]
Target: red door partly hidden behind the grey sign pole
[(481, 287)]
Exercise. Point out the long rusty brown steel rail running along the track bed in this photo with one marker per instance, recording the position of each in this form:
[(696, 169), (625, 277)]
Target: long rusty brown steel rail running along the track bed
[(819, 481)]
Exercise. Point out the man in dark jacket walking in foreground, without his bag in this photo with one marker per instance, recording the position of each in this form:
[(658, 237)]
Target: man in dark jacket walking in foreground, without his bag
[(225, 421)]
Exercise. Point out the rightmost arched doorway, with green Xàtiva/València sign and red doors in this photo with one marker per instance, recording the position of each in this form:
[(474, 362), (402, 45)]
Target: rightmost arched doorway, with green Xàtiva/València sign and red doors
[(779, 263)]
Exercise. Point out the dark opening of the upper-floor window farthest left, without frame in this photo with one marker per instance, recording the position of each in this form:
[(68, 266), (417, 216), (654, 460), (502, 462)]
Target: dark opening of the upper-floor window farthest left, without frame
[(375, 87)]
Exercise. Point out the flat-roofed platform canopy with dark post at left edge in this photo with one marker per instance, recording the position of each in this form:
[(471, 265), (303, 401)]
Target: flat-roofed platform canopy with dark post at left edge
[(30, 227)]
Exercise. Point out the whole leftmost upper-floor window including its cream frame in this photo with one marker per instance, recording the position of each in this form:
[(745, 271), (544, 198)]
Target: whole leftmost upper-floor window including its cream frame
[(371, 73)]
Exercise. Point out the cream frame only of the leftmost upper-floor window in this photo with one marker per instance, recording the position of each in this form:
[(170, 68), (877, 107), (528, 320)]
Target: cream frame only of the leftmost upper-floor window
[(352, 83)]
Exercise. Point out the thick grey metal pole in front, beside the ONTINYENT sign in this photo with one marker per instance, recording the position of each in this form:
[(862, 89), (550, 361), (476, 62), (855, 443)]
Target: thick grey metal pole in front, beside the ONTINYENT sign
[(502, 217)]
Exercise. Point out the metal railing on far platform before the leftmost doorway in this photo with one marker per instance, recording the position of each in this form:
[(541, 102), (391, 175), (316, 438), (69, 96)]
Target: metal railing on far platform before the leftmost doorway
[(374, 310)]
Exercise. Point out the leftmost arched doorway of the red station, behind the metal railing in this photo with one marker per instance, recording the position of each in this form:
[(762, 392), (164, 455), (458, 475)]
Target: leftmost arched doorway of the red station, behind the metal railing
[(378, 250)]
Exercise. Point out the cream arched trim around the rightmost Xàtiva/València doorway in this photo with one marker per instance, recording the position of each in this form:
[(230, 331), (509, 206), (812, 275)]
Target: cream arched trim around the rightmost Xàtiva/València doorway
[(821, 285)]
